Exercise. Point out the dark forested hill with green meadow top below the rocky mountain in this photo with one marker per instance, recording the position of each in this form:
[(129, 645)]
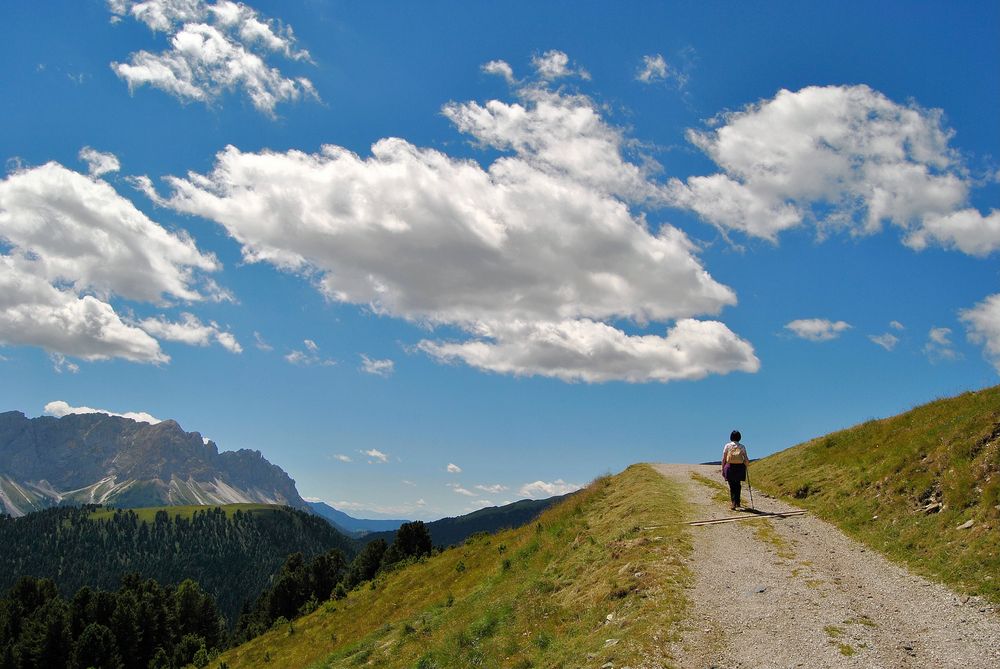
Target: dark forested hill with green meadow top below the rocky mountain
[(233, 551)]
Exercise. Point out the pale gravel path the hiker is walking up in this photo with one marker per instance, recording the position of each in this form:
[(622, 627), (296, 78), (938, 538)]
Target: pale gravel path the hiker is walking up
[(796, 592)]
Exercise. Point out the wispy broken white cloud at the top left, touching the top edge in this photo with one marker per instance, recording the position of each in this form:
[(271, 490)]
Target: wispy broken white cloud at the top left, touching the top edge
[(214, 47)]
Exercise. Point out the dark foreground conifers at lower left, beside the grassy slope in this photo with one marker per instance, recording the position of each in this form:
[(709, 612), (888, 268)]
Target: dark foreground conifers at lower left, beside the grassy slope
[(146, 625)]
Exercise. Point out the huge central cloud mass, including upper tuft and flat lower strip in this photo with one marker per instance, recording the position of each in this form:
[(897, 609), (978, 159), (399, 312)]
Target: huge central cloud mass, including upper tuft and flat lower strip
[(530, 257)]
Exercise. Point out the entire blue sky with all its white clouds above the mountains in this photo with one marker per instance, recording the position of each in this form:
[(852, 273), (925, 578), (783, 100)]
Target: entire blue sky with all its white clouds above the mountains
[(429, 257)]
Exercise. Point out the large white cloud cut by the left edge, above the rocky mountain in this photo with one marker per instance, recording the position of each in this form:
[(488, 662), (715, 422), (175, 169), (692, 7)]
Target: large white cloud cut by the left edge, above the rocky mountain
[(69, 244)]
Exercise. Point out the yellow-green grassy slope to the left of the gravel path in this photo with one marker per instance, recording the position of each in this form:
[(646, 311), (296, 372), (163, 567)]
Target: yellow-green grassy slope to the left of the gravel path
[(581, 586)]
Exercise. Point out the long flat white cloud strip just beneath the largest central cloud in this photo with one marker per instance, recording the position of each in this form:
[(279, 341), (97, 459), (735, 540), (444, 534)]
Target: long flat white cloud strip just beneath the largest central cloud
[(584, 350)]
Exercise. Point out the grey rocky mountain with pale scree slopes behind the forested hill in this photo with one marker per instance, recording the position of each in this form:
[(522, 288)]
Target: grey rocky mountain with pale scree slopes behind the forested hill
[(98, 458)]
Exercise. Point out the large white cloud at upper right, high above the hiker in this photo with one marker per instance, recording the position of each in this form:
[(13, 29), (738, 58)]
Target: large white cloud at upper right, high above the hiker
[(843, 157)]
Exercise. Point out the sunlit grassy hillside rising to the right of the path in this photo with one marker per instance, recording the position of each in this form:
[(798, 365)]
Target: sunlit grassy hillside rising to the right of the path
[(904, 485)]
